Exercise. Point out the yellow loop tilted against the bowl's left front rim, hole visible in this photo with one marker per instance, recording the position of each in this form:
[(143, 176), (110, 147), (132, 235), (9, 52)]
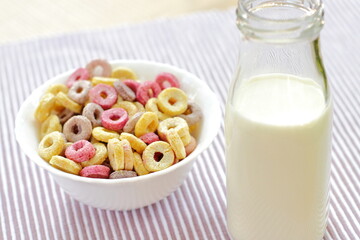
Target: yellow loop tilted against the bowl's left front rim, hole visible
[(52, 144)]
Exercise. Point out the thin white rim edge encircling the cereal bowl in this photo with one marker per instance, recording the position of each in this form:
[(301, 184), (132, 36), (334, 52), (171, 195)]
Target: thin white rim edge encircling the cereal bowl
[(36, 159)]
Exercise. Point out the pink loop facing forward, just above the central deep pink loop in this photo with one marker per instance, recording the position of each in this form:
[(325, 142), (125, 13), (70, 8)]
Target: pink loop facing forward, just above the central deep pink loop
[(104, 95)]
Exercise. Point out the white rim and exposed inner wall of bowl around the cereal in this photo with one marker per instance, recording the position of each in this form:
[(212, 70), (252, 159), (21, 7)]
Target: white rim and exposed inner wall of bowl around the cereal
[(27, 128)]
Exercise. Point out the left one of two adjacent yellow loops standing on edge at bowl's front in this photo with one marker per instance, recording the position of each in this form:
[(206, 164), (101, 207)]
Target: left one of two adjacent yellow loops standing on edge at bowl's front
[(116, 154)]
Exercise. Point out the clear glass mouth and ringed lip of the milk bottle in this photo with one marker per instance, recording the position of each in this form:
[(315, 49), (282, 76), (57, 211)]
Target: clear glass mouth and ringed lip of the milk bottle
[(280, 21)]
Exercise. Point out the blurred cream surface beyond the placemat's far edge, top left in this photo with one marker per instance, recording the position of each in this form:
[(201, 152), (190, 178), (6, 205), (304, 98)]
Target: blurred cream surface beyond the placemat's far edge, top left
[(24, 19)]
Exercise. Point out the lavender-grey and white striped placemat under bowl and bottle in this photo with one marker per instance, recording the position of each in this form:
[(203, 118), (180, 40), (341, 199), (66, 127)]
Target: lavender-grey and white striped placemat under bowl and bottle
[(33, 206)]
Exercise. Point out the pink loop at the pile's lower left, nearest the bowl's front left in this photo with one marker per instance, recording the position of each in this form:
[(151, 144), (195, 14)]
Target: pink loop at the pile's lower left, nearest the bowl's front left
[(80, 151)]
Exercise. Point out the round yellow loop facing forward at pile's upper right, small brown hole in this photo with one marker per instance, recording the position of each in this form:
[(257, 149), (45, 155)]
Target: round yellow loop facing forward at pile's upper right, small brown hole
[(172, 101)]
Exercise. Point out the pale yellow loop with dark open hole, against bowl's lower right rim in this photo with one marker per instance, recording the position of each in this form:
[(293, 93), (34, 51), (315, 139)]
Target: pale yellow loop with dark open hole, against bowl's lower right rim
[(166, 159)]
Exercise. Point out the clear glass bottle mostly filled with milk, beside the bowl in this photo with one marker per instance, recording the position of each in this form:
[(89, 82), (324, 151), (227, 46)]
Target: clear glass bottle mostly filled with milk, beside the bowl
[(278, 124)]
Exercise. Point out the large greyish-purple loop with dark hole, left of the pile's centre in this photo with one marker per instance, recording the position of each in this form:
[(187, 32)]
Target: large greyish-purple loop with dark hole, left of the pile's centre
[(77, 128)]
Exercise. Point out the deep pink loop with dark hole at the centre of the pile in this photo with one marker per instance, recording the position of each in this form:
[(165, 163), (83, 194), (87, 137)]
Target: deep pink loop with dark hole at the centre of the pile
[(114, 119)]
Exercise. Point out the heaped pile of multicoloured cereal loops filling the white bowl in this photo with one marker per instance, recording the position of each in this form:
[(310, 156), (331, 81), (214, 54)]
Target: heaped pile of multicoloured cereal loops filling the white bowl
[(103, 123)]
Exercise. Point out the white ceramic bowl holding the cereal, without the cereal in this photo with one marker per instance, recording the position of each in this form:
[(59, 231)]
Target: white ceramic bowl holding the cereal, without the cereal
[(128, 193)]
